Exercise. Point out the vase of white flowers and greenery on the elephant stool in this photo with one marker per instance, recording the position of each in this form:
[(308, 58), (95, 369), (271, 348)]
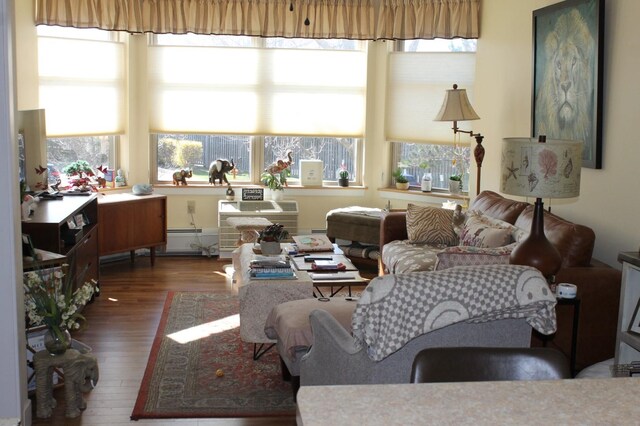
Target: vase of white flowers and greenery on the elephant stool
[(51, 300)]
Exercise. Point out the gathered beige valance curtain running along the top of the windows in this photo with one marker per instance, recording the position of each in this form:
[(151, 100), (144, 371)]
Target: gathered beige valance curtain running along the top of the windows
[(352, 19)]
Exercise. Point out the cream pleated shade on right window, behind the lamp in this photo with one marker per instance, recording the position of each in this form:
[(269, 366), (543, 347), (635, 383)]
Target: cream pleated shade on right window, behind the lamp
[(416, 84)]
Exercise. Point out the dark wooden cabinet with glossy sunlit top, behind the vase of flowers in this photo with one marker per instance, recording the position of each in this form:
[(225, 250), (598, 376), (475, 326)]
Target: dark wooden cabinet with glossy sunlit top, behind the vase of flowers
[(68, 226)]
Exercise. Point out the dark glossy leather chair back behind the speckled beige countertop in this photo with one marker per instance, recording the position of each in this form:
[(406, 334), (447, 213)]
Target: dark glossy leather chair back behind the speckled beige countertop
[(476, 364)]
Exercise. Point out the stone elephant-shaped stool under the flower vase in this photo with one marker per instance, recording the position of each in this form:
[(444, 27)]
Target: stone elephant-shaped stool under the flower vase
[(80, 375)]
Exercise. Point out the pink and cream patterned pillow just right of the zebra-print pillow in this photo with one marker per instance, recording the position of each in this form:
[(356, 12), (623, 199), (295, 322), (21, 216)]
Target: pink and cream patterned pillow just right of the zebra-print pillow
[(484, 231)]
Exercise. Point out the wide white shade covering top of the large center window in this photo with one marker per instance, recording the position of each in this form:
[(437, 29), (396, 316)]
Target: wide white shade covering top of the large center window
[(257, 91)]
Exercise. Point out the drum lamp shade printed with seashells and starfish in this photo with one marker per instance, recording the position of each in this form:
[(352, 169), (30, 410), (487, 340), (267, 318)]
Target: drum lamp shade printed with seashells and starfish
[(548, 169)]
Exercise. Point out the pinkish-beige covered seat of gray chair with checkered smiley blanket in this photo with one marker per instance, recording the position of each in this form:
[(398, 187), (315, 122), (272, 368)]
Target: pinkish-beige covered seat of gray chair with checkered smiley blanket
[(288, 323)]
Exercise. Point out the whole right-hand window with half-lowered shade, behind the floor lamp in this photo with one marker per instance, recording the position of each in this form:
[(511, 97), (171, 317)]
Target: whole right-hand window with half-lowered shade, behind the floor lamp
[(419, 72)]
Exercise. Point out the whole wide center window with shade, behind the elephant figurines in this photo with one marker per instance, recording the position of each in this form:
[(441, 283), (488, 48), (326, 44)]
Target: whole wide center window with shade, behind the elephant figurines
[(254, 99)]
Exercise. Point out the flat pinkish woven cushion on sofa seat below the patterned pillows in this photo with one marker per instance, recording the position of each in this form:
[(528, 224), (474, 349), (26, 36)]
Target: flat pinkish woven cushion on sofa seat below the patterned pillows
[(473, 256)]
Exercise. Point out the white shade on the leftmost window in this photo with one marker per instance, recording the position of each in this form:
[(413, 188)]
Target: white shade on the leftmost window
[(81, 86)]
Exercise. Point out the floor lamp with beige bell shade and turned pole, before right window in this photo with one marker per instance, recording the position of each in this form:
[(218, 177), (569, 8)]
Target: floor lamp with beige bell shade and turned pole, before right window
[(456, 107)]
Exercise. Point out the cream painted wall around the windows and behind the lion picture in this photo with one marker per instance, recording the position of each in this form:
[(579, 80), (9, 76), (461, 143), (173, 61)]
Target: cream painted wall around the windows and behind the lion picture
[(502, 98)]
